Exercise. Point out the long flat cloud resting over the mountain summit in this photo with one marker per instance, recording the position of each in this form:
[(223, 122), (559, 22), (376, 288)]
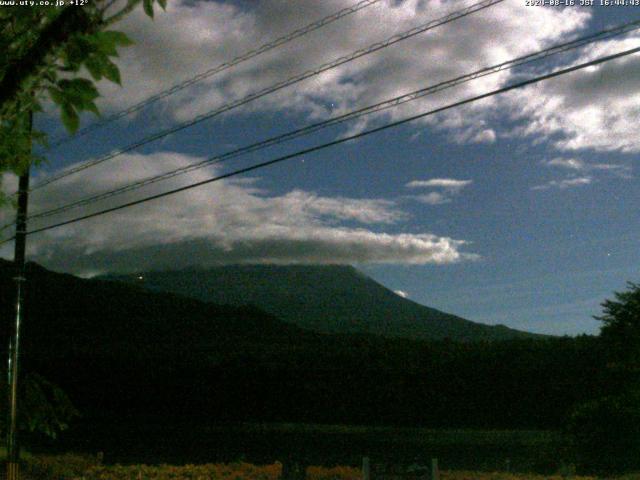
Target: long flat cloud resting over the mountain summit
[(225, 222)]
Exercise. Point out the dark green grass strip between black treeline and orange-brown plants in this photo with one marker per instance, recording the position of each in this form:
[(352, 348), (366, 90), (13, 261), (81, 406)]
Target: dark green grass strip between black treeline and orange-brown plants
[(328, 445)]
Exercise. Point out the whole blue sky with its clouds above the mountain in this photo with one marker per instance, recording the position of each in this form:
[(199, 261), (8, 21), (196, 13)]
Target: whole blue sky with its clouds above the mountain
[(540, 184)]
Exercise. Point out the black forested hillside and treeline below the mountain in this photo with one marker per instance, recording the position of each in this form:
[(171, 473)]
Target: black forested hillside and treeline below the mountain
[(118, 350)]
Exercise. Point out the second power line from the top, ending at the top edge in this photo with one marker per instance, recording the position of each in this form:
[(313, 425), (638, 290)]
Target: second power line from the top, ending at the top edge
[(276, 87)]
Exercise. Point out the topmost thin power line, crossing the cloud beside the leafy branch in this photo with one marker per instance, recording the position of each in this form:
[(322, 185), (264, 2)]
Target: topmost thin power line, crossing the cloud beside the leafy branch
[(219, 68)]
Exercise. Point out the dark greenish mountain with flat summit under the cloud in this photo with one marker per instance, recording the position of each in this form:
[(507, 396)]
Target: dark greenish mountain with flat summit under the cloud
[(331, 299)]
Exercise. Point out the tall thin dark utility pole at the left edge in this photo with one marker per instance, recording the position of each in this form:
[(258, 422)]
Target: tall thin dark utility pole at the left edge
[(13, 451)]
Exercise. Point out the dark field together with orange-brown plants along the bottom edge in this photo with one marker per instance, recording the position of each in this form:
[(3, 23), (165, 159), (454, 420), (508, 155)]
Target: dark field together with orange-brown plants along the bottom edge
[(335, 452)]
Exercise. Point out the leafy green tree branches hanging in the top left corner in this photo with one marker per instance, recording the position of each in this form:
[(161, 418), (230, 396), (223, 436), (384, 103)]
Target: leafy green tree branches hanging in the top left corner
[(46, 52)]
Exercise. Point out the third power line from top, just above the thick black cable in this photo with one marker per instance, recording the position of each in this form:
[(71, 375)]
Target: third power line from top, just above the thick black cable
[(378, 107)]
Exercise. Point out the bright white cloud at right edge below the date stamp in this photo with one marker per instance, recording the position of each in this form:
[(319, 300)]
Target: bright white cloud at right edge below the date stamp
[(595, 108)]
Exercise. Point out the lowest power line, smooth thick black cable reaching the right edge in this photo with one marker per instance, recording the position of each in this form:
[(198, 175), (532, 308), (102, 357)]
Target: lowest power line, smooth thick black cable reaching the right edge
[(342, 140)]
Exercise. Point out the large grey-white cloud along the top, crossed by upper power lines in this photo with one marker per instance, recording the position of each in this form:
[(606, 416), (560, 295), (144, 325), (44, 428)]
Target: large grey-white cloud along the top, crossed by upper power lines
[(194, 36)]
